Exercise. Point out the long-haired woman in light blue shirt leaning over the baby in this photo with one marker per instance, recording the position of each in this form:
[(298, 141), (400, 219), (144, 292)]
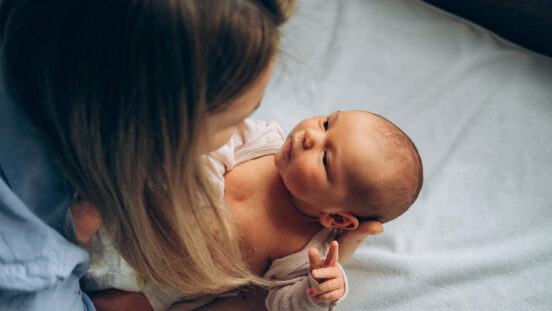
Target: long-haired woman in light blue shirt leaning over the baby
[(116, 101)]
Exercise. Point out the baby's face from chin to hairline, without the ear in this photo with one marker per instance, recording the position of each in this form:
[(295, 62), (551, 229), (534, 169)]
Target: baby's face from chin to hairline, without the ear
[(321, 154)]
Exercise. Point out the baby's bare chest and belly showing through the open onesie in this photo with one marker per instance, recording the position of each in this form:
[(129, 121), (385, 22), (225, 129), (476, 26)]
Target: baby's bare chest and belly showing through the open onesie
[(262, 214)]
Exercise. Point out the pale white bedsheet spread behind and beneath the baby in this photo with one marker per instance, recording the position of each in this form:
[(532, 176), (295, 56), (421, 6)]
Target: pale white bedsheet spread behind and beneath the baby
[(480, 111)]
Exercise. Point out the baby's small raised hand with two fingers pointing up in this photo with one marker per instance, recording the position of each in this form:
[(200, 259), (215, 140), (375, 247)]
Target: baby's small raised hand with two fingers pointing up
[(328, 274)]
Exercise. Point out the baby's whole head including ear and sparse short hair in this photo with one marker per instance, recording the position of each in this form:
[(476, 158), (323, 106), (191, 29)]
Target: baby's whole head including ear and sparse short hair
[(348, 167)]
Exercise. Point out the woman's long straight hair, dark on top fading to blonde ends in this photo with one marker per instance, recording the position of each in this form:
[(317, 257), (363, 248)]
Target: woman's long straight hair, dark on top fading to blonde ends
[(120, 91)]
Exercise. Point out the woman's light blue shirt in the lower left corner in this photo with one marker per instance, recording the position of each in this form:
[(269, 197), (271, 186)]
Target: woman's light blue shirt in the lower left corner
[(39, 266)]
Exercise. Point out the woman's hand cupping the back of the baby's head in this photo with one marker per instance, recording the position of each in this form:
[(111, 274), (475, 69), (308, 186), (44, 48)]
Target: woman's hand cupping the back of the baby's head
[(351, 240)]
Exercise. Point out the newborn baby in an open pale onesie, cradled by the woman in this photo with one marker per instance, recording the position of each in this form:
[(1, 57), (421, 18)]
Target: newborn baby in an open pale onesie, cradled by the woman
[(289, 197)]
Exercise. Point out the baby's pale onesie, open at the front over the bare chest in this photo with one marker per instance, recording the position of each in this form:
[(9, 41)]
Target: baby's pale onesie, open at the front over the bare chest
[(289, 275)]
